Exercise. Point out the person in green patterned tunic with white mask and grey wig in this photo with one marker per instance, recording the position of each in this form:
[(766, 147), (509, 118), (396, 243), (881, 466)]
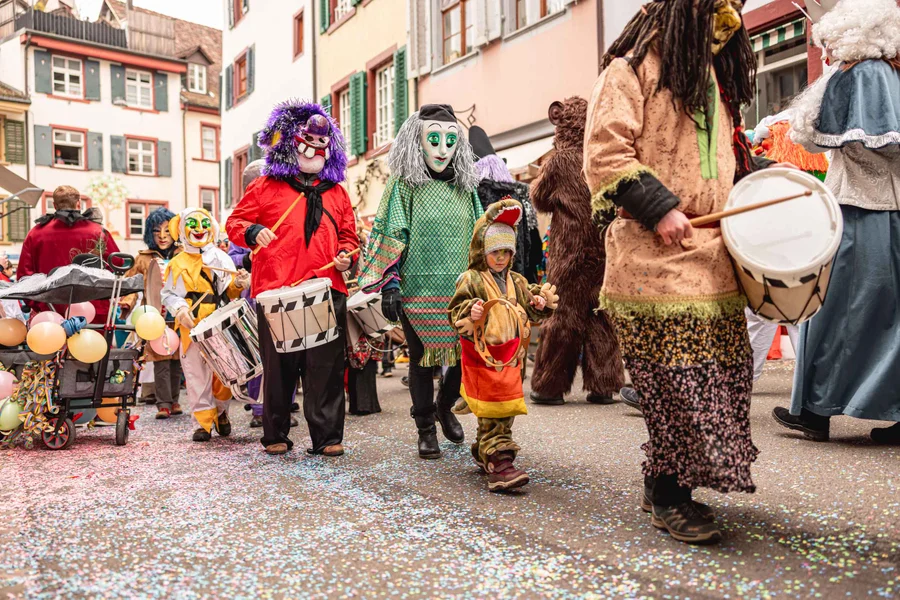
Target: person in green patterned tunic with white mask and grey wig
[(418, 248)]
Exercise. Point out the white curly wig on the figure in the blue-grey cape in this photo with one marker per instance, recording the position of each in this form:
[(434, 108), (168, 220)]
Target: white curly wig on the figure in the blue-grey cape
[(857, 30)]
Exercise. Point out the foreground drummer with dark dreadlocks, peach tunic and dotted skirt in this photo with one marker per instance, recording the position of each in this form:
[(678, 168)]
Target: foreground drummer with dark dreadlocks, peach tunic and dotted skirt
[(664, 144)]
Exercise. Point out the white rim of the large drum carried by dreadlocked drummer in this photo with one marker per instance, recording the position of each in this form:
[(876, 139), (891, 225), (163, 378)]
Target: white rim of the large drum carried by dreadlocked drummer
[(814, 265)]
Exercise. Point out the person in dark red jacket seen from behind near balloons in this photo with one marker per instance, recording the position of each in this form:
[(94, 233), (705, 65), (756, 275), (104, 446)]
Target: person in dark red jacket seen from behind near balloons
[(58, 238)]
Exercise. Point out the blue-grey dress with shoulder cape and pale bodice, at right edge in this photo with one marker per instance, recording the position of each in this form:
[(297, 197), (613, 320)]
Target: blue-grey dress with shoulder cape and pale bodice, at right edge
[(848, 360)]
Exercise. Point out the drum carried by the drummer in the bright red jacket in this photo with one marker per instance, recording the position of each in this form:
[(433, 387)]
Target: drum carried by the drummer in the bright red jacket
[(300, 317)]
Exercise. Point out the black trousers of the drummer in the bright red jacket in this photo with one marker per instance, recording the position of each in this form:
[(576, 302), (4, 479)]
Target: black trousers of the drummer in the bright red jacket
[(322, 371)]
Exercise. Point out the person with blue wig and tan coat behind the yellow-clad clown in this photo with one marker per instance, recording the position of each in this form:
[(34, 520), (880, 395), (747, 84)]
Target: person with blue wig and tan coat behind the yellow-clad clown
[(151, 263)]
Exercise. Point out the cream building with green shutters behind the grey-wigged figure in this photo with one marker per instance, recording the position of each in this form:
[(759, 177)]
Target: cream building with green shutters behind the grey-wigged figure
[(361, 72)]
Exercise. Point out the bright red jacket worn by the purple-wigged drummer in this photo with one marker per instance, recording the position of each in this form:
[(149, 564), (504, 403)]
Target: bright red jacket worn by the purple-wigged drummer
[(288, 259)]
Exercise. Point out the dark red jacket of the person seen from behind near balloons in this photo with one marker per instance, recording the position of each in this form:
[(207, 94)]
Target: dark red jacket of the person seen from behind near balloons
[(55, 245)]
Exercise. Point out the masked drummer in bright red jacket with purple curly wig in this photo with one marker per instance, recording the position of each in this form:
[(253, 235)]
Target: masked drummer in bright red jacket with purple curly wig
[(304, 155)]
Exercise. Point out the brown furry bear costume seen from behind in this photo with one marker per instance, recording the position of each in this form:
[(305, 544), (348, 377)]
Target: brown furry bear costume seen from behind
[(575, 334)]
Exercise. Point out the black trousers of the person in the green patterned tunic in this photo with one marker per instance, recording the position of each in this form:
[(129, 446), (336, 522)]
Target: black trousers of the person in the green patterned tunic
[(421, 379)]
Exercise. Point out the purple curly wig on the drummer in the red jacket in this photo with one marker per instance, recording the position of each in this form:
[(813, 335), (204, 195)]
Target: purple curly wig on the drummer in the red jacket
[(278, 140)]
